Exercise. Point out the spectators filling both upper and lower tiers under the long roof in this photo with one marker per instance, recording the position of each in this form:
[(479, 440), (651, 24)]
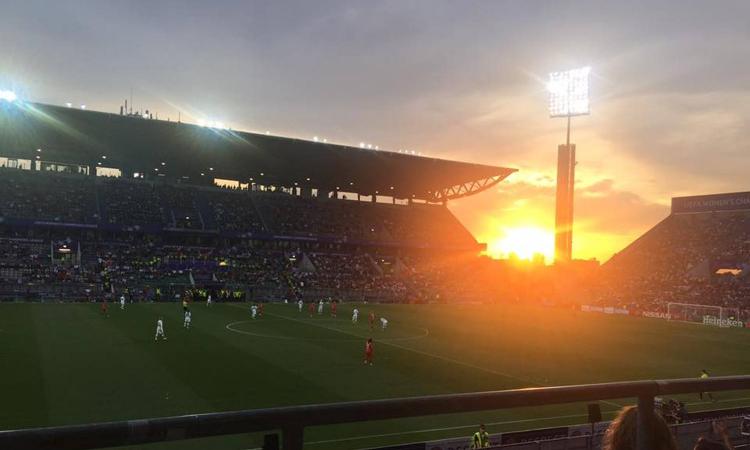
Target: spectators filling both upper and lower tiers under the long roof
[(386, 252)]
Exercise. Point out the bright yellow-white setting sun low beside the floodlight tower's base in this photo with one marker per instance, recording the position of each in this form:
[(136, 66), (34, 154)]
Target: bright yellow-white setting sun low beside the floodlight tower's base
[(524, 242)]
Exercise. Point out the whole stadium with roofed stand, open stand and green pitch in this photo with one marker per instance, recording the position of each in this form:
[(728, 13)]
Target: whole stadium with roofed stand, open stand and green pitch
[(181, 212)]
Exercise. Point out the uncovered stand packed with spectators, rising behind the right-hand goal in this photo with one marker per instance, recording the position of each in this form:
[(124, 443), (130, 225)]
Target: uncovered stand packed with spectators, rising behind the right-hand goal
[(699, 255)]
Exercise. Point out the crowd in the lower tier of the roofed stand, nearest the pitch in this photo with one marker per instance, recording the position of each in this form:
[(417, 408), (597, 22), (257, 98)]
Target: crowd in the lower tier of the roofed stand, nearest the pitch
[(79, 268)]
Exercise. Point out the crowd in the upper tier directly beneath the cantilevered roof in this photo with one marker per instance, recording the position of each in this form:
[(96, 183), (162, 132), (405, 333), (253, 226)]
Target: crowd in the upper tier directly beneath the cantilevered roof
[(128, 203)]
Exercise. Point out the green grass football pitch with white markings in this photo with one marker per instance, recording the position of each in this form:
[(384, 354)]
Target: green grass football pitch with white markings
[(67, 364)]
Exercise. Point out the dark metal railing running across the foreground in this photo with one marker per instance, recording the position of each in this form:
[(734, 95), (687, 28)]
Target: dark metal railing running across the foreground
[(293, 420)]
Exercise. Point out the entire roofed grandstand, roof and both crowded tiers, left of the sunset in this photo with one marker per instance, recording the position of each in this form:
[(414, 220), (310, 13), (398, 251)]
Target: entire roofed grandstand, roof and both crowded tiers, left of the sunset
[(240, 215)]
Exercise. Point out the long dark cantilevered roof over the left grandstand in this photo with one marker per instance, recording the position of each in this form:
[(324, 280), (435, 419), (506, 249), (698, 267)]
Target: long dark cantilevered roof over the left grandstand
[(185, 151)]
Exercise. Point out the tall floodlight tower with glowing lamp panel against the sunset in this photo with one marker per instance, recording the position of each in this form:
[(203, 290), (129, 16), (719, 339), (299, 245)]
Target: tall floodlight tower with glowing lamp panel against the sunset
[(568, 97)]
